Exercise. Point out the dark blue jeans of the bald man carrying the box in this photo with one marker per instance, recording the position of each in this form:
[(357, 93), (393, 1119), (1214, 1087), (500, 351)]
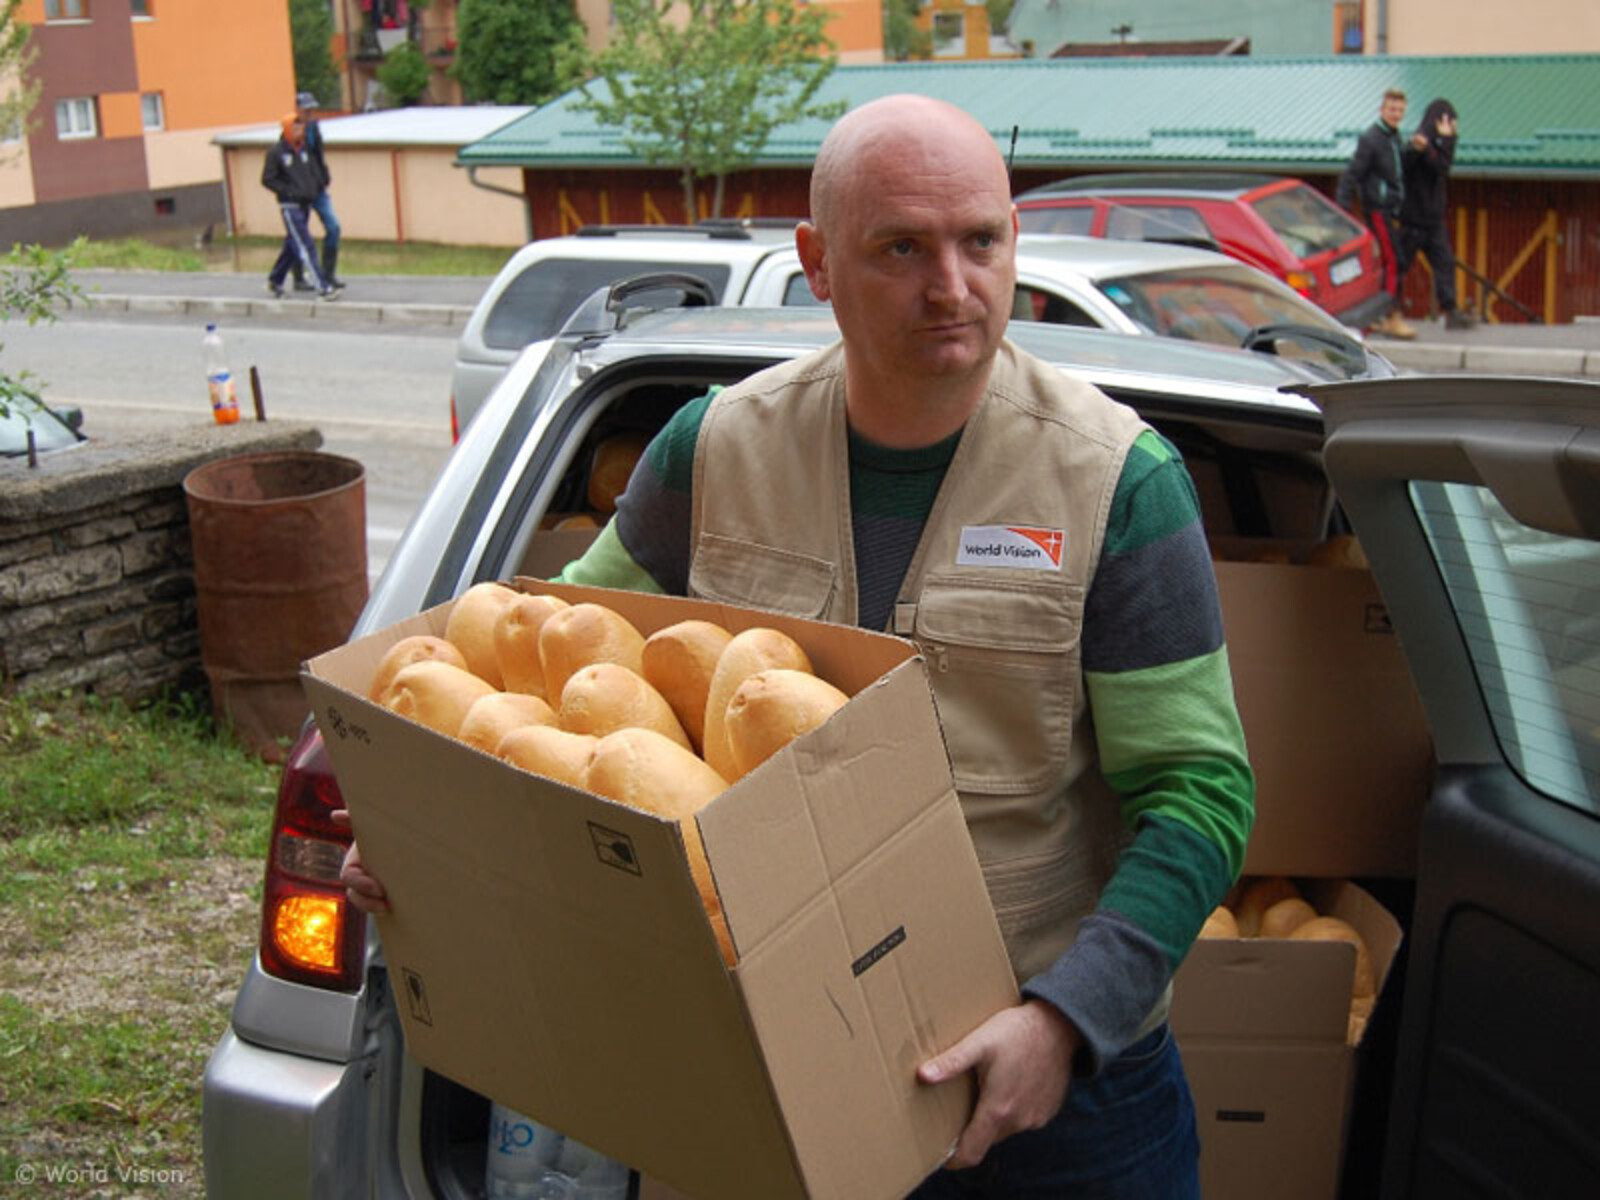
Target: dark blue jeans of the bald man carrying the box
[(1126, 1135)]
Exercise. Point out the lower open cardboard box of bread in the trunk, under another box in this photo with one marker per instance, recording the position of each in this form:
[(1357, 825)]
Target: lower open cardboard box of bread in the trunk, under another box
[(1263, 1030)]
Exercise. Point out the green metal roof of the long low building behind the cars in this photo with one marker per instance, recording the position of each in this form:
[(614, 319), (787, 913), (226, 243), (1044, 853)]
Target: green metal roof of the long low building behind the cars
[(1521, 114)]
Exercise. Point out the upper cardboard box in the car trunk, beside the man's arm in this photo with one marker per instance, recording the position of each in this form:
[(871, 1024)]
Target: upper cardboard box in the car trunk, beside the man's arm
[(1335, 729)]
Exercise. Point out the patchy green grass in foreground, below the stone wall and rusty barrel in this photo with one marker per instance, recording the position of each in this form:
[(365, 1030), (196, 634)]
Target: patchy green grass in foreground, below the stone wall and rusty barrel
[(132, 846)]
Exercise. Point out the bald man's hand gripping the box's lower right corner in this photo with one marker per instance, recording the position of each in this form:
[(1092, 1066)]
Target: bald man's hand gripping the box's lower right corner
[(1023, 1058)]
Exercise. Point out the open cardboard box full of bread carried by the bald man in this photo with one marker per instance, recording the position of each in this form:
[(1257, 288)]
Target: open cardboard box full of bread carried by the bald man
[(550, 950)]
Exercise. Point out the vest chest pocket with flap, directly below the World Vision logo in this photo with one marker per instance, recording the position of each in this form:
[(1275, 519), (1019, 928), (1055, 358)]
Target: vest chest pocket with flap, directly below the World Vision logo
[(1004, 665)]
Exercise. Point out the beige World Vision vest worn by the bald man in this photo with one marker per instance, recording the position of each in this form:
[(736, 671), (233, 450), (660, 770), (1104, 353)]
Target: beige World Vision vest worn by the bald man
[(1042, 452)]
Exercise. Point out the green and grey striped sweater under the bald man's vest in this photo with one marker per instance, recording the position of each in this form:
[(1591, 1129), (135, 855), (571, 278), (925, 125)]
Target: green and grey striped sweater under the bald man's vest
[(1156, 671)]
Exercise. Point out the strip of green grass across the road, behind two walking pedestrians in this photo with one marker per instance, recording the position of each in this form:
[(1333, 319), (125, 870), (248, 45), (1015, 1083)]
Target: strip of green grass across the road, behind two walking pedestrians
[(257, 254)]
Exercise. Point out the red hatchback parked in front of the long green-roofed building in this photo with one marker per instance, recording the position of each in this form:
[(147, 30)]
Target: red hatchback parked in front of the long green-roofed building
[(1278, 225)]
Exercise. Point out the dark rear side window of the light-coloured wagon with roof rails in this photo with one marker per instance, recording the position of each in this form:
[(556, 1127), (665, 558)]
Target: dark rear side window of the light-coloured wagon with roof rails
[(542, 298)]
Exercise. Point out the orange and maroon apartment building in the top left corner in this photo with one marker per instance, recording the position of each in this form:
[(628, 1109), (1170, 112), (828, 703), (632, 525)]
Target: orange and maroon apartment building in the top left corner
[(132, 94)]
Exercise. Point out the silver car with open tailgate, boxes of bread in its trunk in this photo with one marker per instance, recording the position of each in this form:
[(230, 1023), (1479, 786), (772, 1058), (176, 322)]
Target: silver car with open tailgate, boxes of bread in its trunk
[(1479, 506)]
